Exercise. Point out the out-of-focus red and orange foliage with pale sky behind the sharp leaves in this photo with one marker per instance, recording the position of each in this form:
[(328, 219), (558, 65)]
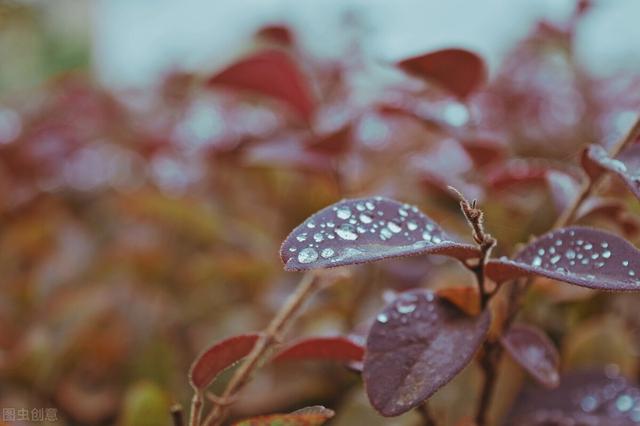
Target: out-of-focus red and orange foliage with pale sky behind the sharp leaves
[(142, 204)]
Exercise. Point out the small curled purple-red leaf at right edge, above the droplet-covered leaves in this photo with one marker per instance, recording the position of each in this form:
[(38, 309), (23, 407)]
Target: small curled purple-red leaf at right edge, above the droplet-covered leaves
[(596, 161)]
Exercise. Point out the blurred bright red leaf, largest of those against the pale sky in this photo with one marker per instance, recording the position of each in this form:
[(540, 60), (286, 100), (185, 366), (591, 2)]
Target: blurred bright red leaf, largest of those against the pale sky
[(271, 73)]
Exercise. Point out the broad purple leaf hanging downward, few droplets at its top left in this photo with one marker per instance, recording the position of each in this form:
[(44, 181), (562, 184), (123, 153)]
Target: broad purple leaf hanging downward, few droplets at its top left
[(417, 344)]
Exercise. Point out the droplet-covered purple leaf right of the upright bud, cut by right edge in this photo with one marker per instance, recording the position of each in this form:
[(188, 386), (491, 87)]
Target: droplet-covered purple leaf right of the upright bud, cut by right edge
[(576, 255)]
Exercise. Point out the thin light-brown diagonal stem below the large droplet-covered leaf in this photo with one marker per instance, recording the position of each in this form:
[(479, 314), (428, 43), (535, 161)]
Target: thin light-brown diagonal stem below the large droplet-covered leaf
[(268, 339)]
